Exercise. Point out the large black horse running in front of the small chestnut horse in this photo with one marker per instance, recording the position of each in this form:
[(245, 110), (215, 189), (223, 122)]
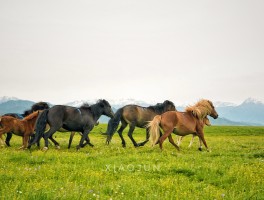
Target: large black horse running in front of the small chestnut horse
[(70, 118)]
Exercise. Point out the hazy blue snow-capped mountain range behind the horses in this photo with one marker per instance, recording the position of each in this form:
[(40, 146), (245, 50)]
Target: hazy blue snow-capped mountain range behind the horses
[(250, 112)]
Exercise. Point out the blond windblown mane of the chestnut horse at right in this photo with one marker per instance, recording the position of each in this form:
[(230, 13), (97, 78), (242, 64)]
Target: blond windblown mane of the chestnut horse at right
[(201, 109)]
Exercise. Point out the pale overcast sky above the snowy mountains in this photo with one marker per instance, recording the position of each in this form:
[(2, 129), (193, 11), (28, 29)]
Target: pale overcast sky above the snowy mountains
[(61, 51)]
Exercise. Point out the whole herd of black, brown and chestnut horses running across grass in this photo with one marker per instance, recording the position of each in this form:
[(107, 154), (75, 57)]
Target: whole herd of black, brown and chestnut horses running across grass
[(160, 121)]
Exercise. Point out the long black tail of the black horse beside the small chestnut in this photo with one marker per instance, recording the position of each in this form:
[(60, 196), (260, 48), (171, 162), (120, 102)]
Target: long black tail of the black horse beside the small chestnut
[(40, 126)]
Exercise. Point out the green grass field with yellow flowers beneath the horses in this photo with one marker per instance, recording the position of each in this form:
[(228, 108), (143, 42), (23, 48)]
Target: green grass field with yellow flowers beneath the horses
[(234, 169)]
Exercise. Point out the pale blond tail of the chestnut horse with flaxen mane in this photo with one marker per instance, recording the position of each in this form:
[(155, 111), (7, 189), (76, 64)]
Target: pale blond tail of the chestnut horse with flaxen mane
[(154, 129)]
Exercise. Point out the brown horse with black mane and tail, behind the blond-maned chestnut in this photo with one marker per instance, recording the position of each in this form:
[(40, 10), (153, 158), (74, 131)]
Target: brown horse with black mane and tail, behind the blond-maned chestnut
[(135, 116)]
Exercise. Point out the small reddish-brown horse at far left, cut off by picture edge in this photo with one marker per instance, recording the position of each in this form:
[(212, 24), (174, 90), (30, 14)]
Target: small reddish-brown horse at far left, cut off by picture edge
[(21, 127)]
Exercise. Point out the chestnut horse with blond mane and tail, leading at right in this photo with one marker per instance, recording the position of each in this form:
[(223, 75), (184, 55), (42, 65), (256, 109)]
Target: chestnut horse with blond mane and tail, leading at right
[(181, 123)]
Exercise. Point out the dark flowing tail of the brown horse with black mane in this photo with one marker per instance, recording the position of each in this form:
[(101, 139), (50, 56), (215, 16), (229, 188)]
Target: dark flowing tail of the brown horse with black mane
[(113, 124)]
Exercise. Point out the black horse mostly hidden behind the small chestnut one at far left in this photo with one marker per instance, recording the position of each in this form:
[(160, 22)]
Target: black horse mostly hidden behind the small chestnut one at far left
[(37, 106)]
